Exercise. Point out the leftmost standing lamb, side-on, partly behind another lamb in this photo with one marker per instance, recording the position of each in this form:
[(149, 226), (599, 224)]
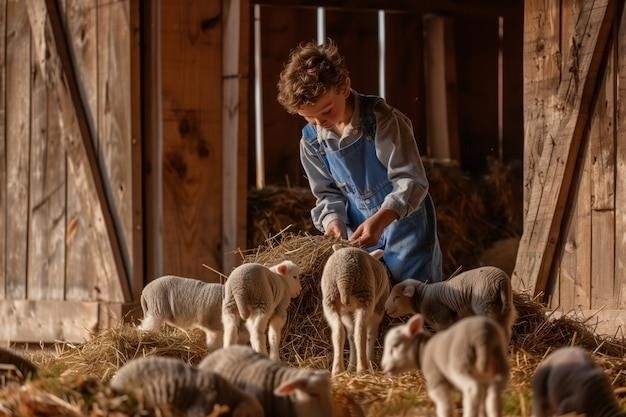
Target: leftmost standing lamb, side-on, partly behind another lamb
[(184, 303)]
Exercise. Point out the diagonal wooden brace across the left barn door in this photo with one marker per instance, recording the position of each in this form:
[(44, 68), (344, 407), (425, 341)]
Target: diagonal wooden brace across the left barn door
[(56, 65)]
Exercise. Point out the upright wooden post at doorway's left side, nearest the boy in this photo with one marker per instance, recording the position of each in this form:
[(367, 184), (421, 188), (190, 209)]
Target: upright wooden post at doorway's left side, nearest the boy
[(235, 51)]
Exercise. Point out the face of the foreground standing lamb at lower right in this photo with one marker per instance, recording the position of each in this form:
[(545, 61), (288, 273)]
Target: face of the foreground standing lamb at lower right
[(399, 352)]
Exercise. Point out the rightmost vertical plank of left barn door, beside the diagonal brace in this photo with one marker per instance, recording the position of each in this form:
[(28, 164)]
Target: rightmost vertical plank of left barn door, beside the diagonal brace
[(114, 118)]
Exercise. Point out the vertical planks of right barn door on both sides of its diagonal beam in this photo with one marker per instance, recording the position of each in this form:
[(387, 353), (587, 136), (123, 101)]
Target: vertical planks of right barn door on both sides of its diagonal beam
[(588, 274)]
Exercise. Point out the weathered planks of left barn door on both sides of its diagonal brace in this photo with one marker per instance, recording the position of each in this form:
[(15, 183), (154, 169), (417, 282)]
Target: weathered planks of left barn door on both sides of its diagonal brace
[(55, 257)]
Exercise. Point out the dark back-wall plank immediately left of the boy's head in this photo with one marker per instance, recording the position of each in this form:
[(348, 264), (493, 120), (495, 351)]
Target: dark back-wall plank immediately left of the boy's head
[(282, 29)]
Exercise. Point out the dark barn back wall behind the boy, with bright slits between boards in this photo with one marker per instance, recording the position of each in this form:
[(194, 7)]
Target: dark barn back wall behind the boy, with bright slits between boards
[(356, 33)]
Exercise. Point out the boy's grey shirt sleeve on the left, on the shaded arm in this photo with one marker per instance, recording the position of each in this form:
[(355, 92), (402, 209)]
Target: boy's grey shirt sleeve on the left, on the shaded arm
[(330, 202)]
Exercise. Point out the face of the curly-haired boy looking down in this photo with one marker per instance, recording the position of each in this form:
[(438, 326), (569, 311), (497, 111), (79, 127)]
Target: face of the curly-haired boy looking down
[(329, 110)]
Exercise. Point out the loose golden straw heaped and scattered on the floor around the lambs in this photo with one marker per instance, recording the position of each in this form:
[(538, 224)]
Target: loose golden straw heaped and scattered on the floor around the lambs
[(73, 378)]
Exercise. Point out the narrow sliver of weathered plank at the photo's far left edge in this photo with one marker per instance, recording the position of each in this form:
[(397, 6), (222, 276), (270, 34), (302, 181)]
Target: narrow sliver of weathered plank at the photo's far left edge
[(3, 142)]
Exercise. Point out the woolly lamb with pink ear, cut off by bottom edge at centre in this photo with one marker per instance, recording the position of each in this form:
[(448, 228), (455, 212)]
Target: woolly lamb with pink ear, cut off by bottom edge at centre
[(283, 391)]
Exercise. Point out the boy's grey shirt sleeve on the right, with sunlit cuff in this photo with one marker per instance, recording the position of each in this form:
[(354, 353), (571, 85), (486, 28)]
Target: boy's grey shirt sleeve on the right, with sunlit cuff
[(397, 150)]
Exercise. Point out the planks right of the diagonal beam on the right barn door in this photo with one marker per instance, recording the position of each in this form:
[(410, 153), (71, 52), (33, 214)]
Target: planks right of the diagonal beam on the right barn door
[(590, 273)]
